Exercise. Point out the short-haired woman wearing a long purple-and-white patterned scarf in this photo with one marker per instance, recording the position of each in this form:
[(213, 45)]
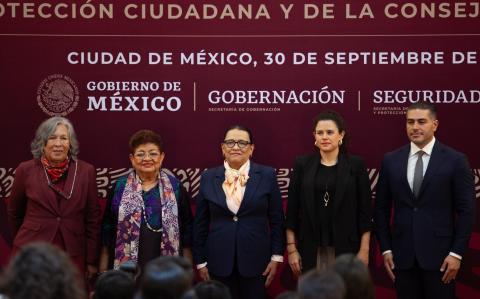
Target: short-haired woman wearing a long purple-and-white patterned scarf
[(148, 213)]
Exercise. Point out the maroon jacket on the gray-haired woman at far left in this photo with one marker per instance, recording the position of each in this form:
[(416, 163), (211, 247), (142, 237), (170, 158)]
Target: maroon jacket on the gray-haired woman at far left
[(37, 213)]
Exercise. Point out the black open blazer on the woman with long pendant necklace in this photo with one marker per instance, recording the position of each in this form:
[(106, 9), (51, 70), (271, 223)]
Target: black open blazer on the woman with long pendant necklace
[(351, 212)]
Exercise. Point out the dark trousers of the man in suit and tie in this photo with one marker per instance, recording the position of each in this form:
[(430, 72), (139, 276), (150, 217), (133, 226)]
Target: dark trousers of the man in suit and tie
[(417, 283)]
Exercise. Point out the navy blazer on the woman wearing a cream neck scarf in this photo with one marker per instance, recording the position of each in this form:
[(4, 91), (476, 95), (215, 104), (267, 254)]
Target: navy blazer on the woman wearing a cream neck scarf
[(251, 236)]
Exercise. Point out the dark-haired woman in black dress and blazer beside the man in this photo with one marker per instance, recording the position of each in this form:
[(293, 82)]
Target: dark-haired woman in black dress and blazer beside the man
[(328, 211)]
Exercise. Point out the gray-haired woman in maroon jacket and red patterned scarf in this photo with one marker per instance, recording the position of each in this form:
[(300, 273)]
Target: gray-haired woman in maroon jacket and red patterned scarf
[(54, 197)]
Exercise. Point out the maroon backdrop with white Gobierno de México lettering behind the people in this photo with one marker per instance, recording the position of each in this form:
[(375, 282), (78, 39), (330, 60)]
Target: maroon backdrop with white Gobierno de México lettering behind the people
[(41, 75)]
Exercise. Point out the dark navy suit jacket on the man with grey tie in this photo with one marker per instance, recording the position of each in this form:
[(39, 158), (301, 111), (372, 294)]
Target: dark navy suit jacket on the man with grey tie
[(440, 220)]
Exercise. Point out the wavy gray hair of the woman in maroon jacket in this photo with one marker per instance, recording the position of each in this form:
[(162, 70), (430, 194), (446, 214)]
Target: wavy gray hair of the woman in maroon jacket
[(46, 129)]
